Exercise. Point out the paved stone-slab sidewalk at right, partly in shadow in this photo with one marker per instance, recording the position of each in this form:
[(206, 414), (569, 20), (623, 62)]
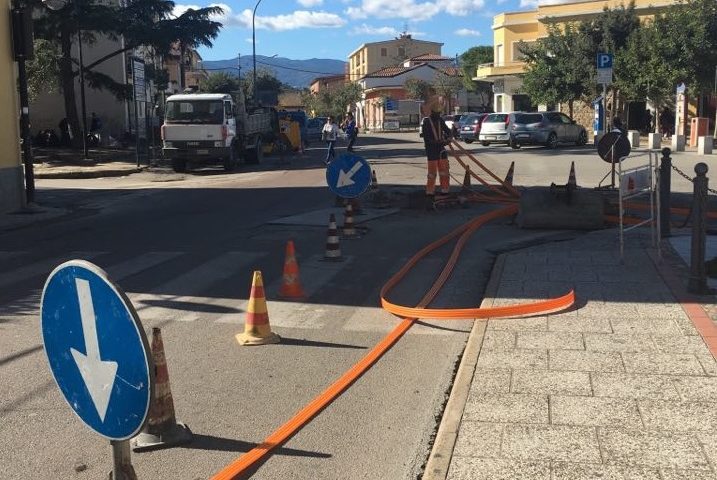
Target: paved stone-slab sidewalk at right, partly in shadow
[(623, 386)]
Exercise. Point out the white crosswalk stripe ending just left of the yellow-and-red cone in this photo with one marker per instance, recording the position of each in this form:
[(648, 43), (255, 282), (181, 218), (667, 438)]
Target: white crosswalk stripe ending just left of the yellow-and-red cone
[(189, 286)]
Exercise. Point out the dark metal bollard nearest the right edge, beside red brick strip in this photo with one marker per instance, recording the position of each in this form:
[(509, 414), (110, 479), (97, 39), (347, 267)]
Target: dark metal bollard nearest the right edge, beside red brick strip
[(698, 274)]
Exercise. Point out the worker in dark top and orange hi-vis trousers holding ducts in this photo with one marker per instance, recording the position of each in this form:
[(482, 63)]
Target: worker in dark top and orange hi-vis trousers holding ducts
[(436, 135)]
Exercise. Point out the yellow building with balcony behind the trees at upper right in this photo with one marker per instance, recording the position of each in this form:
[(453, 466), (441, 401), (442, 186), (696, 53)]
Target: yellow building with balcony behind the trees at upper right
[(510, 28)]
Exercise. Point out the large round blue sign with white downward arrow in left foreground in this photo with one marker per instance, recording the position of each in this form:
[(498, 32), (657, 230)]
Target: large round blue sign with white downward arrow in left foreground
[(97, 349)]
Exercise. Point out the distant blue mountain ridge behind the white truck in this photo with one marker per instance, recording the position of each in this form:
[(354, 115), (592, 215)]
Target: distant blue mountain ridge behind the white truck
[(296, 73)]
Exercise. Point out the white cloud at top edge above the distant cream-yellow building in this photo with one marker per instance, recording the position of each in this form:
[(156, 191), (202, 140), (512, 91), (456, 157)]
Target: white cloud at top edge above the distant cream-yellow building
[(413, 9)]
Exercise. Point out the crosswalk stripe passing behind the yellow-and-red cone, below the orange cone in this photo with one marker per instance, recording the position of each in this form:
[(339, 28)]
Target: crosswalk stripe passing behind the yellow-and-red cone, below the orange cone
[(314, 274)]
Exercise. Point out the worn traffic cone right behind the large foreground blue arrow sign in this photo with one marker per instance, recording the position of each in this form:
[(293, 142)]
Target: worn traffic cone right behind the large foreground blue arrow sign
[(161, 429)]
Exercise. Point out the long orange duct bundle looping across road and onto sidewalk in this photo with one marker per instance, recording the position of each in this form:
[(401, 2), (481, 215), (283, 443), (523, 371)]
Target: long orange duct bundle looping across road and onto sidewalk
[(250, 460)]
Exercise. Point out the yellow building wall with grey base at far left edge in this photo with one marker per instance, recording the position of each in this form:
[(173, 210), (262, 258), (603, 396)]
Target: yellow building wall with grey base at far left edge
[(11, 172)]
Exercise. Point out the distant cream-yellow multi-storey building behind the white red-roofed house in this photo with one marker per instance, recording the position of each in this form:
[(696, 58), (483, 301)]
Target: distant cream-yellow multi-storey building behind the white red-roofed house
[(371, 57)]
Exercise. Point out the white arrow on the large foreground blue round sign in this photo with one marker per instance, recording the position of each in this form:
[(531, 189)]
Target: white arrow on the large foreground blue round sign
[(99, 376)]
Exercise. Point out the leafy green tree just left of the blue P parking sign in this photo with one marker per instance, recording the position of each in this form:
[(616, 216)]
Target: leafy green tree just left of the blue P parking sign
[(557, 70)]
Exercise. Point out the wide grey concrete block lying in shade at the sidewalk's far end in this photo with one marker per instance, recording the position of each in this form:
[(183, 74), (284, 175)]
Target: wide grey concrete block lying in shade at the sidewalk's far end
[(540, 208)]
